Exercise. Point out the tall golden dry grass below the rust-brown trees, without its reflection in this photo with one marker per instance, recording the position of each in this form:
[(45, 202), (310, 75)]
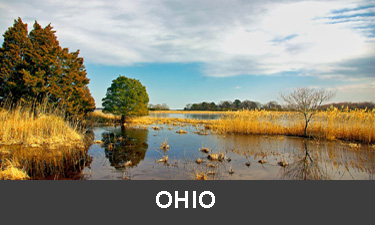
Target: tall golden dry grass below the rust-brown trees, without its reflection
[(20, 126)]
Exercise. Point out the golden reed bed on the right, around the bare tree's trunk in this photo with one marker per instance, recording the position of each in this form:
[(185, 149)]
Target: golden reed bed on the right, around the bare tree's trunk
[(349, 125)]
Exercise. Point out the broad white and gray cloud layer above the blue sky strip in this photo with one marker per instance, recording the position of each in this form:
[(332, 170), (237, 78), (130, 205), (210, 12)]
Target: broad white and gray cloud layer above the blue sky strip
[(227, 37)]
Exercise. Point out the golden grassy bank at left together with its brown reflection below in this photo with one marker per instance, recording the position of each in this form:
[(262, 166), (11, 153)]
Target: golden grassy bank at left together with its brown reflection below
[(39, 146)]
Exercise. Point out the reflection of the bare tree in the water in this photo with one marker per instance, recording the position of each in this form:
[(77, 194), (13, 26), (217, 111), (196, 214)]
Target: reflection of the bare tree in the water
[(306, 168)]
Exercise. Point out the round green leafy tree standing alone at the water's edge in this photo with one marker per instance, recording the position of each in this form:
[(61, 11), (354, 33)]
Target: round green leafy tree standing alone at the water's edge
[(126, 97)]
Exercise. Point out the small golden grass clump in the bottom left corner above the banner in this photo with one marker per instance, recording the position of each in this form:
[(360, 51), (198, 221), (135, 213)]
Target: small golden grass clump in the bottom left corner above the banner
[(11, 171)]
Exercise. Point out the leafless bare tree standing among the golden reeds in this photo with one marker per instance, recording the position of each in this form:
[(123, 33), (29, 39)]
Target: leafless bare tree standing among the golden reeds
[(307, 101)]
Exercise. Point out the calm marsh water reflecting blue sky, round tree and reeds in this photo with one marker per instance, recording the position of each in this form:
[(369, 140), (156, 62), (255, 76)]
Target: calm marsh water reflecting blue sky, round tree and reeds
[(246, 157)]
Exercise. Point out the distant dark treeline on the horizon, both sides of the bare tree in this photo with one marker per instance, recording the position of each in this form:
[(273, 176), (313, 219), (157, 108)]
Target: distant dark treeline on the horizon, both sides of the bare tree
[(272, 105)]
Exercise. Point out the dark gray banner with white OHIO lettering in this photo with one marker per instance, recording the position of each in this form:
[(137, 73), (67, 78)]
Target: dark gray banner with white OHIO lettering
[(234, 201)]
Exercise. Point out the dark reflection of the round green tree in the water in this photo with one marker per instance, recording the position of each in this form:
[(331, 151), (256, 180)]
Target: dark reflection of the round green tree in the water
[(124, 146)]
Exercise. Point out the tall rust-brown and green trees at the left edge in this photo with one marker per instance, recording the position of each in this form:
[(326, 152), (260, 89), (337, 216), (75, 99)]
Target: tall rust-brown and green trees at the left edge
[(34, 67)]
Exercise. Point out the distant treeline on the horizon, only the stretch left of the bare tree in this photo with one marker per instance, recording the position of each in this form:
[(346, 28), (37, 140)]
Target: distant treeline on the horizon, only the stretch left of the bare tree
[(235, 105)]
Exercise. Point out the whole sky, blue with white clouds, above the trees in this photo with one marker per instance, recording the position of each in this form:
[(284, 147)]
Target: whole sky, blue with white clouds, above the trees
[(192, 51)]
